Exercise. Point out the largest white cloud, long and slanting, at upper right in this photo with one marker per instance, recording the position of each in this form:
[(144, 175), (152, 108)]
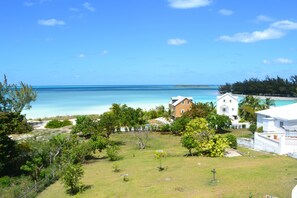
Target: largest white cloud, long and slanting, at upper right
[(275, 31)]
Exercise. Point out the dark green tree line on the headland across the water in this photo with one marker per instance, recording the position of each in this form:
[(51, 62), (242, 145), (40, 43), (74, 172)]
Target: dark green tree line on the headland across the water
[(269, 86)]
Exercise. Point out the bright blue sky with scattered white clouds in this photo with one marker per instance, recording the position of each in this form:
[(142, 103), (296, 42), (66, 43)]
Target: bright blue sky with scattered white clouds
[(64, 42)]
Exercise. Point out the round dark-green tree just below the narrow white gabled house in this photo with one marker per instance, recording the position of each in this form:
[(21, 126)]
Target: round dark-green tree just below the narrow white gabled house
[(218, 122)]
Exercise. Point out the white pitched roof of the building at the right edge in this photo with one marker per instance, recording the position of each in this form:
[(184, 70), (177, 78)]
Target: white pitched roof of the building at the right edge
[(287, 112)]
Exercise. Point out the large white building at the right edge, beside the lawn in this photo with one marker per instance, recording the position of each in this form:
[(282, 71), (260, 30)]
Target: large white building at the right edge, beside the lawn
[(279, 129)]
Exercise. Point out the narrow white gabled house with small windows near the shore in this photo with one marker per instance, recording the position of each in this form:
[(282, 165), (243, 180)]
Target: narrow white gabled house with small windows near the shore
[(227, 104)]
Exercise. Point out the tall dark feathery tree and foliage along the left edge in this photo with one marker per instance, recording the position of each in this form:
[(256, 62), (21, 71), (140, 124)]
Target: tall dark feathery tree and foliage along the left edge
[(13, 99)]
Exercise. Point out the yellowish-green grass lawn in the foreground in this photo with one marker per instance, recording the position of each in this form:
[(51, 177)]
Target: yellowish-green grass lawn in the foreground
[(254, 173)]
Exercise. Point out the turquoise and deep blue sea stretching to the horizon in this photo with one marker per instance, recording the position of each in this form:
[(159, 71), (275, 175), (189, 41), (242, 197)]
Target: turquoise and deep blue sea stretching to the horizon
[(95, 99)]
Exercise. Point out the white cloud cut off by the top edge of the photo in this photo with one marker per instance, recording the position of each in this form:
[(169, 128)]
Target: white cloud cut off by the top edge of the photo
[(186, 4)]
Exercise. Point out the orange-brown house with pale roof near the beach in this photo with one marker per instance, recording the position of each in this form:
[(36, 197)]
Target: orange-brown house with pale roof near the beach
[(179, 105)]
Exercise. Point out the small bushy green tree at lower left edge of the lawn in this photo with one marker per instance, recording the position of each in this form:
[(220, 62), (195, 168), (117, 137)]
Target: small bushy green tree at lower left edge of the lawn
[(71, 176)]
